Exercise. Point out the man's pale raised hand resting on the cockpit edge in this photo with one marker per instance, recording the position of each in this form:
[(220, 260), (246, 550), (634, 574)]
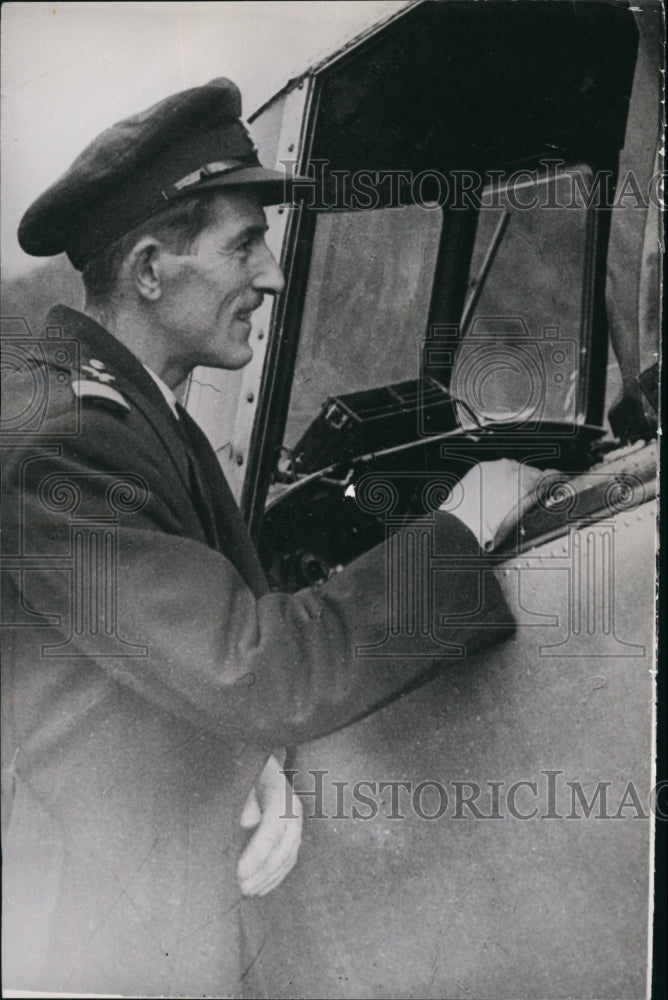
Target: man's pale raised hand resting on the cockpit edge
[(496, 494)]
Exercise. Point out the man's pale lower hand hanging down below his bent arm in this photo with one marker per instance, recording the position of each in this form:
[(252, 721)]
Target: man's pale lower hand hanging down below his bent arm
[(272, 851)]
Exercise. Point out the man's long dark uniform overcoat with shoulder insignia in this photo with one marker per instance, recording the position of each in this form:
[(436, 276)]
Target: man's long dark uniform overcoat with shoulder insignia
[(148, 670)]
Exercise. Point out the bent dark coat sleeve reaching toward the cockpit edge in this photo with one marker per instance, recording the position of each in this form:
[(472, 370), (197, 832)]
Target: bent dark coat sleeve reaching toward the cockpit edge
[(171, 618)]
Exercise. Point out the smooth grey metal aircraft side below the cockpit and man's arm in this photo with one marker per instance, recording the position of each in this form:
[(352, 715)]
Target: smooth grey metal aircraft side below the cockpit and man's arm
[(481, 901)]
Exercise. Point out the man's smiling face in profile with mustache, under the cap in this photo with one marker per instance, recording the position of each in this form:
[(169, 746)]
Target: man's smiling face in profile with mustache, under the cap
[(210, 292)]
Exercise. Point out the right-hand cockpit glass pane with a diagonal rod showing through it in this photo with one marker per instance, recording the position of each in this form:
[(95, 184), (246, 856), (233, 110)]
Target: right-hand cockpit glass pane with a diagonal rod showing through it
[(522, 354)]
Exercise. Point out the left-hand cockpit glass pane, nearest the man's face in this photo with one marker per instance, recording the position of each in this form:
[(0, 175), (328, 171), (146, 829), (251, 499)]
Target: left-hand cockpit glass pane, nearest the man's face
[(366, 307)]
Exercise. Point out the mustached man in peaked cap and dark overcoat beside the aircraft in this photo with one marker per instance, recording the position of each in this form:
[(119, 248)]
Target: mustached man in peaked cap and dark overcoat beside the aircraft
[(150, 675)]
